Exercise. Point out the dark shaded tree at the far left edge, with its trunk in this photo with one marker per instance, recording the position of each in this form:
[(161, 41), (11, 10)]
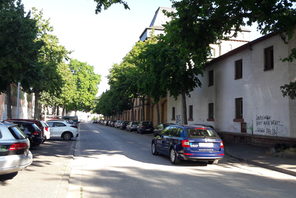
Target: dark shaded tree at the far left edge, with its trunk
[(18, 48)]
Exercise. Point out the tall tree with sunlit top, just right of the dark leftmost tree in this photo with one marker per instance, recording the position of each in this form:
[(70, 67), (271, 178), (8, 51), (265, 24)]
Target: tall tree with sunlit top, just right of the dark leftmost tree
[(44, 76)]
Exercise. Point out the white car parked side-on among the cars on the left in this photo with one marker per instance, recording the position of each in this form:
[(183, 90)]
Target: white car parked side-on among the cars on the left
[(62, 129)]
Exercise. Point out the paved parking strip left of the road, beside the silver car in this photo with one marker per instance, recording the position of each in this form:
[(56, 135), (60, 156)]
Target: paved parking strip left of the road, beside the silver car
[(47, 176)]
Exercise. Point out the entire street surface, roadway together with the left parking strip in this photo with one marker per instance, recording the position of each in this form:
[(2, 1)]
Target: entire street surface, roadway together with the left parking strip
[(113, 163)]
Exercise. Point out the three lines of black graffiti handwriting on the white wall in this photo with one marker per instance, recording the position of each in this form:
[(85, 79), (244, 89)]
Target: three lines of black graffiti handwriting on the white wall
[(266, 125)]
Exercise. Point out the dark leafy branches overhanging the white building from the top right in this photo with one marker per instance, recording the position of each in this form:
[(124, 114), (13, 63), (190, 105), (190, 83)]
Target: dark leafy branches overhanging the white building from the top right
[(201, 23)]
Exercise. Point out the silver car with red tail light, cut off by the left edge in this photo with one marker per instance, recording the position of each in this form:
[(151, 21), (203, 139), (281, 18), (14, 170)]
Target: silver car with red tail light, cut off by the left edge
[(14, 150)]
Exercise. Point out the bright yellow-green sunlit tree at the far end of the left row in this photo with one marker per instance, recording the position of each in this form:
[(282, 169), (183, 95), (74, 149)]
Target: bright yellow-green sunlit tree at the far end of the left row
[(86, 82)]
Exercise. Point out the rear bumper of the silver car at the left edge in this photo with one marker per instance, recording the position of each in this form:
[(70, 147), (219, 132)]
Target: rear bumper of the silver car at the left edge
[(14, 163)]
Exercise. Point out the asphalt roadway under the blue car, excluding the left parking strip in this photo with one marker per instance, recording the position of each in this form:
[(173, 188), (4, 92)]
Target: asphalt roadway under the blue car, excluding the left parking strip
[(118, 164)]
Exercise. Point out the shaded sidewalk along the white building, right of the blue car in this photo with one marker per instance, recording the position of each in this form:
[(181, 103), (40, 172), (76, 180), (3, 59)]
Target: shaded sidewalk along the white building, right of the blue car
[(264, 157)]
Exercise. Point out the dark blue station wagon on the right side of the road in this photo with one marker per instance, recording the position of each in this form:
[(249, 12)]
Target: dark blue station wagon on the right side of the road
[(194, 143)]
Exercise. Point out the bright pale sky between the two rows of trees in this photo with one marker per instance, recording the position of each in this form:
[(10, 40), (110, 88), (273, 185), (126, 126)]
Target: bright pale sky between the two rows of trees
[(101, 39)]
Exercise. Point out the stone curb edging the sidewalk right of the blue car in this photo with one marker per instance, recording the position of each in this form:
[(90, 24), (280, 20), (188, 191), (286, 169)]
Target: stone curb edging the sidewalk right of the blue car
[(263, 165)]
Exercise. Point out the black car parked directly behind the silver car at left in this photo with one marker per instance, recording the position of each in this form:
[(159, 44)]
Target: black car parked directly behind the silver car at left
[(33, 132)]
